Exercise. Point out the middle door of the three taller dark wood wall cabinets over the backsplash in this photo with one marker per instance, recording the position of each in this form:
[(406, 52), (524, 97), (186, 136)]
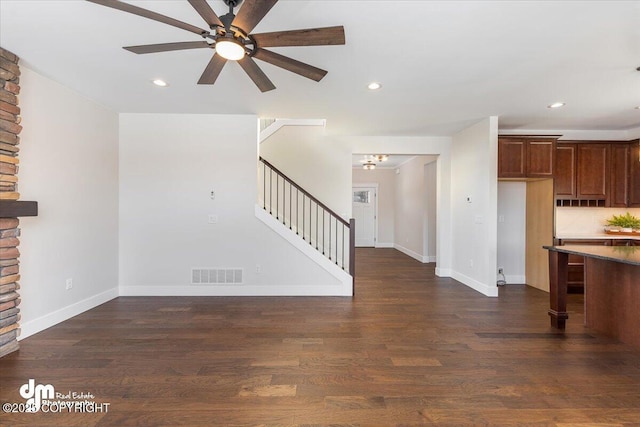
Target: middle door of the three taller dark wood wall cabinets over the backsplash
[(593, 169)]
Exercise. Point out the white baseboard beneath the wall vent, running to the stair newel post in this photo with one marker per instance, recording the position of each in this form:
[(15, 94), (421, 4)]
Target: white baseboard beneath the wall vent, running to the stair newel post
[(237, 290)]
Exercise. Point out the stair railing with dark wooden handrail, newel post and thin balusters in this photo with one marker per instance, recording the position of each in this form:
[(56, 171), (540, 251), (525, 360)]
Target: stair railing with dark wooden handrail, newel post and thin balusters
[(308, 217)]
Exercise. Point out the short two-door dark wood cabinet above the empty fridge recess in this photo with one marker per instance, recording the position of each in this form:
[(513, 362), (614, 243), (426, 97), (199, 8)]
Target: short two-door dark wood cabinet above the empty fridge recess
[(526, 157)]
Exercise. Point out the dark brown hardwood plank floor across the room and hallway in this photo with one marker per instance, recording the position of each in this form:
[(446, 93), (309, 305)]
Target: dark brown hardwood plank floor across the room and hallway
[(408, 349)]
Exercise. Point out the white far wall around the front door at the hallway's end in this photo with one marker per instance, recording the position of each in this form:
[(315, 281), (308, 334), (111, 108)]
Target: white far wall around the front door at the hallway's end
[(385, 179)]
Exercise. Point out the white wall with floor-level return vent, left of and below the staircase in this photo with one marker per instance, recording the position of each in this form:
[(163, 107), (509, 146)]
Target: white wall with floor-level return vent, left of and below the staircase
[(169, 164)]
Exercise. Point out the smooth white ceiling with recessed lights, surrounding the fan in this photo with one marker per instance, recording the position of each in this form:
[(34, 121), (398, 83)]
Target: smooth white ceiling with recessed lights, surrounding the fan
[(443, 64)]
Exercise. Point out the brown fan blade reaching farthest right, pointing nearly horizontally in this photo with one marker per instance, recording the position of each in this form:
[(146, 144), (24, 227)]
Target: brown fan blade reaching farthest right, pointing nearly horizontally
[(308, 37)]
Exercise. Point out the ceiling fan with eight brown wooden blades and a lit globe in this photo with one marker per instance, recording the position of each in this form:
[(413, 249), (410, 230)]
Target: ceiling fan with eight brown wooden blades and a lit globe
[(230, 36)]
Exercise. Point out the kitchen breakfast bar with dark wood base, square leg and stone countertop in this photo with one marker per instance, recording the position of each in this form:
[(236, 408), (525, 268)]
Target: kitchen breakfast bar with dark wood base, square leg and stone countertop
[(612, 289)]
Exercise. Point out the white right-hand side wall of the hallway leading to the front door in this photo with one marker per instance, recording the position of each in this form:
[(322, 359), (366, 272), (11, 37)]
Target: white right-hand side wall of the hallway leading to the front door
[(410, 208)]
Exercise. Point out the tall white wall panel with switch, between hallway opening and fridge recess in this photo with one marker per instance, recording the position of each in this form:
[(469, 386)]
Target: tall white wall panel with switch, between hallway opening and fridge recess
[(474, 205)]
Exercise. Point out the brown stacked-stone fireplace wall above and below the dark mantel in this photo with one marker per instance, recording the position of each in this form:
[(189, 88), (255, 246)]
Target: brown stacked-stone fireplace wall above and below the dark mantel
[(9, 232)]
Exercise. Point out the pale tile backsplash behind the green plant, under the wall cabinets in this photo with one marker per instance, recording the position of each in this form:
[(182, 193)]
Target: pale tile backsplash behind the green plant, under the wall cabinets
[(586, 221)]
